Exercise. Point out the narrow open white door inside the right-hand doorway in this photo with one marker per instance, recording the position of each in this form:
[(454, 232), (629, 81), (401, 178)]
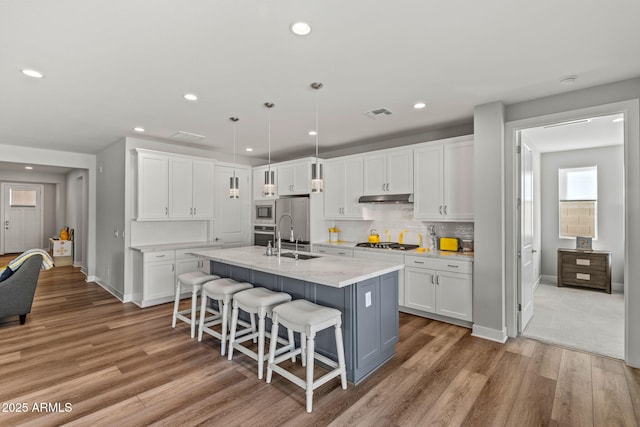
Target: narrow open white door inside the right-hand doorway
[(526, 238)]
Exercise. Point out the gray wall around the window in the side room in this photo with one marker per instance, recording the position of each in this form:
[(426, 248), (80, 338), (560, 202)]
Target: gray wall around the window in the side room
[(610, 162)]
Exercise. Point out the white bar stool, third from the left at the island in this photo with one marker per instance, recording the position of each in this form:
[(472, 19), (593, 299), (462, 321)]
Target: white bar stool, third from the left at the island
[(258, 301)]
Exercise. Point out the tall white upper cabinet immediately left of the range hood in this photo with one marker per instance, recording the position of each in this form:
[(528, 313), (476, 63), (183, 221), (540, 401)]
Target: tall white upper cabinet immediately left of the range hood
[(343, 184)]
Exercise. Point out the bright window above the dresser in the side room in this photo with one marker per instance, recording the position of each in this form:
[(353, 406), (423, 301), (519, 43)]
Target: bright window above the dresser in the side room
[(578, 194)]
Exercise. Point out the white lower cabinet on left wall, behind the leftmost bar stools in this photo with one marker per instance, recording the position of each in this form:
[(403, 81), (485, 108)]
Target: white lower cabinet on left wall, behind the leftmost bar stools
[(155, 274)]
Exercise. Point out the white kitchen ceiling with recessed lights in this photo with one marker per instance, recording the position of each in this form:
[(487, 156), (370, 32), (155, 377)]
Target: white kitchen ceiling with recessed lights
[(112, 65)]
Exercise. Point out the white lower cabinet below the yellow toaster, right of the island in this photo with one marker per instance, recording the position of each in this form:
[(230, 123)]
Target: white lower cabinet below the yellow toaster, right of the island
[(439, 286)]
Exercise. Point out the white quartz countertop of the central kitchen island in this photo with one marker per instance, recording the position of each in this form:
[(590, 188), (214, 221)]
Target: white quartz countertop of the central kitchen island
[(327, 270)]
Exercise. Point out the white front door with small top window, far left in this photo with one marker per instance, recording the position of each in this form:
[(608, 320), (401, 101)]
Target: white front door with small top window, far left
[(22, 217)]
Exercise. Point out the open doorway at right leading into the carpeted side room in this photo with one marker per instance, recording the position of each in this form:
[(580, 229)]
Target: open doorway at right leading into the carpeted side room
[(573, 317)]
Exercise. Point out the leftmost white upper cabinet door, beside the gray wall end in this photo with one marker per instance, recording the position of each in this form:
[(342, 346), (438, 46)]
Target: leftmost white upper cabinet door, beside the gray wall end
[(152, 186)]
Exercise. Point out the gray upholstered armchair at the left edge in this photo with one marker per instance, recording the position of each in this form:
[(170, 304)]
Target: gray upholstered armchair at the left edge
[(16, 292)]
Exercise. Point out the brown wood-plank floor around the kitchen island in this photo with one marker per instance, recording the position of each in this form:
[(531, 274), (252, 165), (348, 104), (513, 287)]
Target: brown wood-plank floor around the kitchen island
[(116, 364)]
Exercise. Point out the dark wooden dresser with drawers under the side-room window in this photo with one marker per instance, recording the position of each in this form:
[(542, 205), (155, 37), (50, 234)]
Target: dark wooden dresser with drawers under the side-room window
[(588, 269)]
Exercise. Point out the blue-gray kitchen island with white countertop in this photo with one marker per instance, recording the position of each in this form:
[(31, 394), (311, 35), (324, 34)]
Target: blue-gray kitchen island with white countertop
[(366, 293)]
